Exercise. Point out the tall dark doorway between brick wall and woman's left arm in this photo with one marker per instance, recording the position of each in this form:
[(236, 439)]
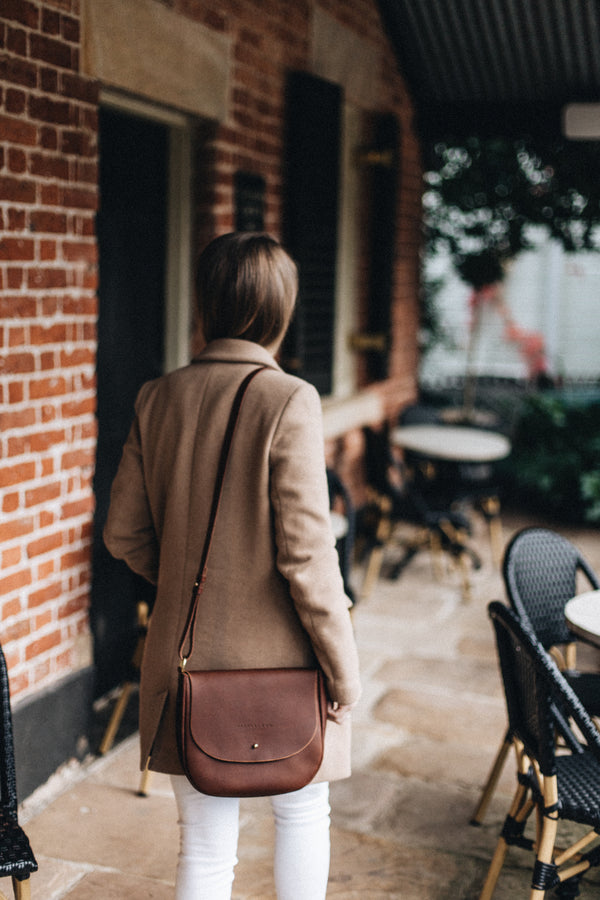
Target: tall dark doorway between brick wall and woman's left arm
[(132, 234)]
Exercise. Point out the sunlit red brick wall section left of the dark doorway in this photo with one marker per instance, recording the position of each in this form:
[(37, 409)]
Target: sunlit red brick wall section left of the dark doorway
[(48, 194)]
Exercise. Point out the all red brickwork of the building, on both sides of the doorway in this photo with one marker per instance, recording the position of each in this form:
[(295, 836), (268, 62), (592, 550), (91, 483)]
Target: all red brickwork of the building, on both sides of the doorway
[(48, 196)]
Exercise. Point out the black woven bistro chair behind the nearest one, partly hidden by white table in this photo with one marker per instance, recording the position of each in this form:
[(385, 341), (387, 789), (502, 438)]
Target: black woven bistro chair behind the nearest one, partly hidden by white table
[(540, 571)]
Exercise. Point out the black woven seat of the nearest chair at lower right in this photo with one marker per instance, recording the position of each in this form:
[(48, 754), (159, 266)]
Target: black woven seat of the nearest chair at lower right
[(578, 778)]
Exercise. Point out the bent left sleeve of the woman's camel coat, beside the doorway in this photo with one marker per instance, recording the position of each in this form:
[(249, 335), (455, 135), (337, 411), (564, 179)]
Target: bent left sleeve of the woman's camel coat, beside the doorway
[(129, 532)]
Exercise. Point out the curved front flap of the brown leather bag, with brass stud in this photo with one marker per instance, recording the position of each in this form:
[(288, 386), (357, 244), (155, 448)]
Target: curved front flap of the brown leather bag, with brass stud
[(254, 715)]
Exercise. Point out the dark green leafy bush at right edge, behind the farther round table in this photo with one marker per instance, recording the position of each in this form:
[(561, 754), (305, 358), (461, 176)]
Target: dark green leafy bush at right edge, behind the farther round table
[(555, 462)]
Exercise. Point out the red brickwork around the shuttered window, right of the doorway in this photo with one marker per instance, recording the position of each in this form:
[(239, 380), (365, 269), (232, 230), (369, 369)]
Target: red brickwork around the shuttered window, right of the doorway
[(265, 47)]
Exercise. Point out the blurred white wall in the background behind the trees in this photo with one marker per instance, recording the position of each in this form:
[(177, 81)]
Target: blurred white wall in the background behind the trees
[(547, 291)]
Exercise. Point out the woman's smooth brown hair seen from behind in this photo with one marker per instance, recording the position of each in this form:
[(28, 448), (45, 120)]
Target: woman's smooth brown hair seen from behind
[(246, 287)]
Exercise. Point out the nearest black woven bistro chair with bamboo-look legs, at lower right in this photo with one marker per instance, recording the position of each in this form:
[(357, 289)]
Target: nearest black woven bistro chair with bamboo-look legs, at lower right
[(555, 784)]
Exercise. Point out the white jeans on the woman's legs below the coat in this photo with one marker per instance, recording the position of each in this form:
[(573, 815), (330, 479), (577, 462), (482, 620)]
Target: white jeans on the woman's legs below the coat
[(209, 837)]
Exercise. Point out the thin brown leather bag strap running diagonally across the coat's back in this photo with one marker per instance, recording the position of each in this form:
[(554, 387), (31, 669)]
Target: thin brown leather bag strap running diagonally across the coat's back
[(188, 633)]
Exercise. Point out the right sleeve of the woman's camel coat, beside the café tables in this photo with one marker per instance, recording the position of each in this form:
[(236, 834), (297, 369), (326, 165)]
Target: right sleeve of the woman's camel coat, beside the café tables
[(306, 553)]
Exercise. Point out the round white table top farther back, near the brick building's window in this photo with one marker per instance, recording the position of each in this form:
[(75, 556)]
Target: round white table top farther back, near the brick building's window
[(452, 442)]
